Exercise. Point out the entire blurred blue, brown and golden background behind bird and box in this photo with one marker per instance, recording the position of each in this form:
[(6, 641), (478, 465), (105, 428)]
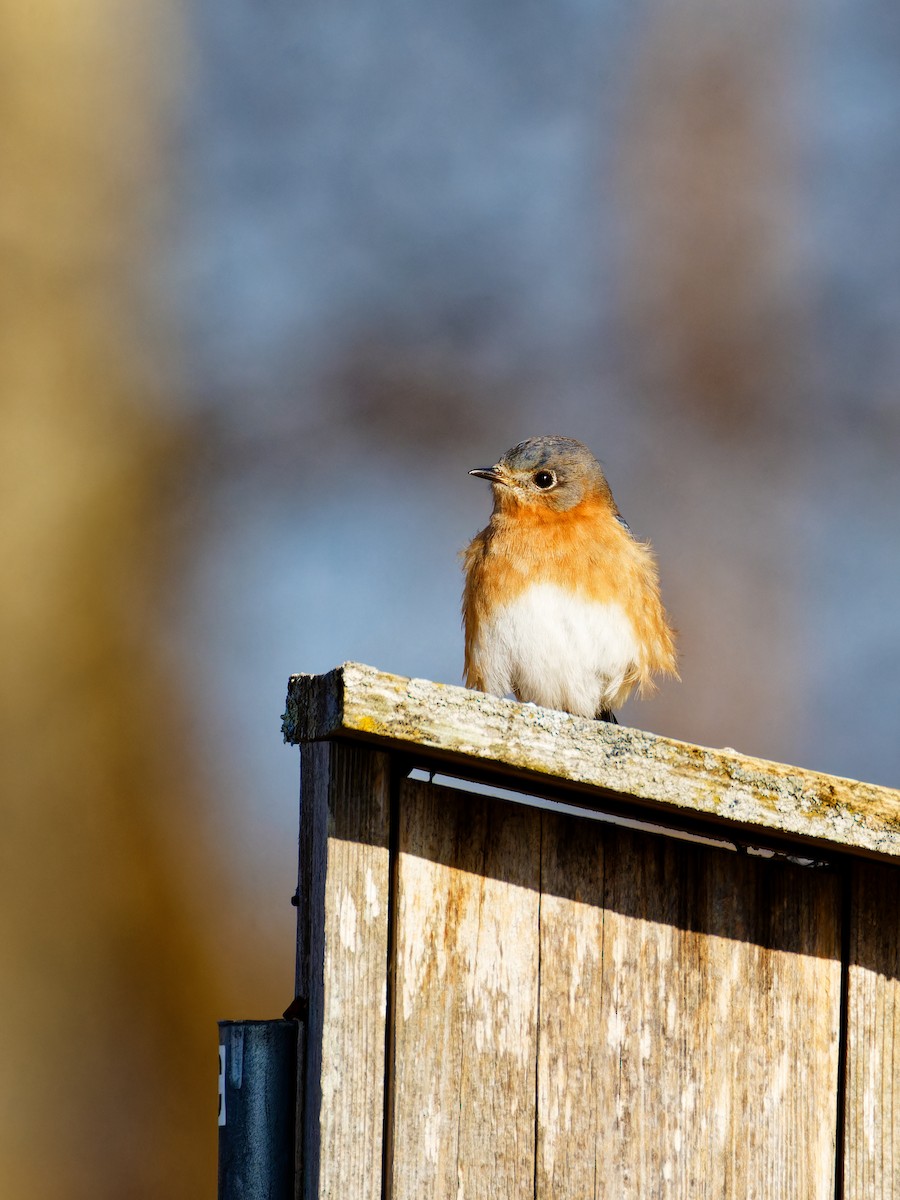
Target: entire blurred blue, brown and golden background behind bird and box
[(274, 278)]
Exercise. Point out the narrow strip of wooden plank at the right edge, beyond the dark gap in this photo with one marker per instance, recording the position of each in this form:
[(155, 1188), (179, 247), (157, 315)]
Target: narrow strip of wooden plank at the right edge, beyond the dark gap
[(872, 1163)]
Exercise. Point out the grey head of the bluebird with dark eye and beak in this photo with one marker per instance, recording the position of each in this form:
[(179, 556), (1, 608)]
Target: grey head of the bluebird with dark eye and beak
[(551, 472)]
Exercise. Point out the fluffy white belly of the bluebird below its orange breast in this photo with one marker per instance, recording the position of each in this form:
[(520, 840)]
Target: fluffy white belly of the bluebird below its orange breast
[(559, 651)]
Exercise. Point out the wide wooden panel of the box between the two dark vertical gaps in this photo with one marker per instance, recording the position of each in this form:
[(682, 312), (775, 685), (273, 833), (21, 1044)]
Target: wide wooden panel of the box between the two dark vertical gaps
[(681, 1004)]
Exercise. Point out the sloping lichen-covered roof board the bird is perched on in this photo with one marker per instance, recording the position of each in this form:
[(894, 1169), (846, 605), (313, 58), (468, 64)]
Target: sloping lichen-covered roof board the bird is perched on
[(523, 743)]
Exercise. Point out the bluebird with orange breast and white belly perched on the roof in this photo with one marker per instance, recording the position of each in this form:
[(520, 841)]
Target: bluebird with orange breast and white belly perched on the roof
[(562, 603)]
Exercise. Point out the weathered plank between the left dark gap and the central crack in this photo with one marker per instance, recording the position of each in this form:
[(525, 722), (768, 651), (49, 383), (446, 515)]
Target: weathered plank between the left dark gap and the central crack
[(466, 997)]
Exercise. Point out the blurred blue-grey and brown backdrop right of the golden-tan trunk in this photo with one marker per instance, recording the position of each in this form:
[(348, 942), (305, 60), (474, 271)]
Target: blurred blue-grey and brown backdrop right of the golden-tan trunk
[(411, 237)]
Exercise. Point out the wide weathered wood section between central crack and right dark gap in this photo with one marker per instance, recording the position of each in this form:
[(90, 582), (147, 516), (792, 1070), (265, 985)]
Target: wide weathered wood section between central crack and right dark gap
[(689, 1028)]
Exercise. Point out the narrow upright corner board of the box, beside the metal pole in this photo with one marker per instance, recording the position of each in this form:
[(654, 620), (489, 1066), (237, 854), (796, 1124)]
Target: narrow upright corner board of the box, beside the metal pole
[(343, 968)]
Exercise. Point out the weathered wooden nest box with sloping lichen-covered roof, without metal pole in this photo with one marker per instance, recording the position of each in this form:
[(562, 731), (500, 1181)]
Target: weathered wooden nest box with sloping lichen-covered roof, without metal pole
[(502, 1000)]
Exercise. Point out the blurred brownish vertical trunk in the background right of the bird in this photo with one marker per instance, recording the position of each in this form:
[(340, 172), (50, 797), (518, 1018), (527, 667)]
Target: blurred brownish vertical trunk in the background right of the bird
[(716, 310)]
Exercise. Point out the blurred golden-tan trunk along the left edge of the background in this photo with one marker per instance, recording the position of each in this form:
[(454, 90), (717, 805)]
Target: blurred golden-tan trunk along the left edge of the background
[(109, 989)]
